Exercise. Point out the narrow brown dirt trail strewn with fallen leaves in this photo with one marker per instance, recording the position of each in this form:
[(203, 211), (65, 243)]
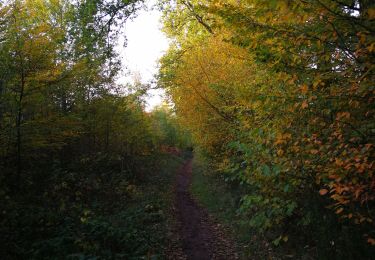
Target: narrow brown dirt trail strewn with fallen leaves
[(200, 237)]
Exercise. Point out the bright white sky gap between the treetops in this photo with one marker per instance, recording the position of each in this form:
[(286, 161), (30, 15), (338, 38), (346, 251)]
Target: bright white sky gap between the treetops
[(140, 45)]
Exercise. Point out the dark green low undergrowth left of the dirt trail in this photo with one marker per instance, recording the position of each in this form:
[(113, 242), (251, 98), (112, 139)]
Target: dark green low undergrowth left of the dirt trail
[(93, 212)]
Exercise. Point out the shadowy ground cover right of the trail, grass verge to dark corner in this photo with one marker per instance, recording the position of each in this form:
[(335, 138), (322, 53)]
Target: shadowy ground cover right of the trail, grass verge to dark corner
[(321, 239)]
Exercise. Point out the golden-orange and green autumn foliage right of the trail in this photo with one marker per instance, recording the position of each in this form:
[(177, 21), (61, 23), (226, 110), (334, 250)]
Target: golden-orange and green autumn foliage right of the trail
[(279, 95)]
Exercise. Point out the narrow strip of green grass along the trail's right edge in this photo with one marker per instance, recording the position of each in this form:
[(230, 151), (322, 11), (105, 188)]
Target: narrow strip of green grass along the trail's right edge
[(222, 201)]
